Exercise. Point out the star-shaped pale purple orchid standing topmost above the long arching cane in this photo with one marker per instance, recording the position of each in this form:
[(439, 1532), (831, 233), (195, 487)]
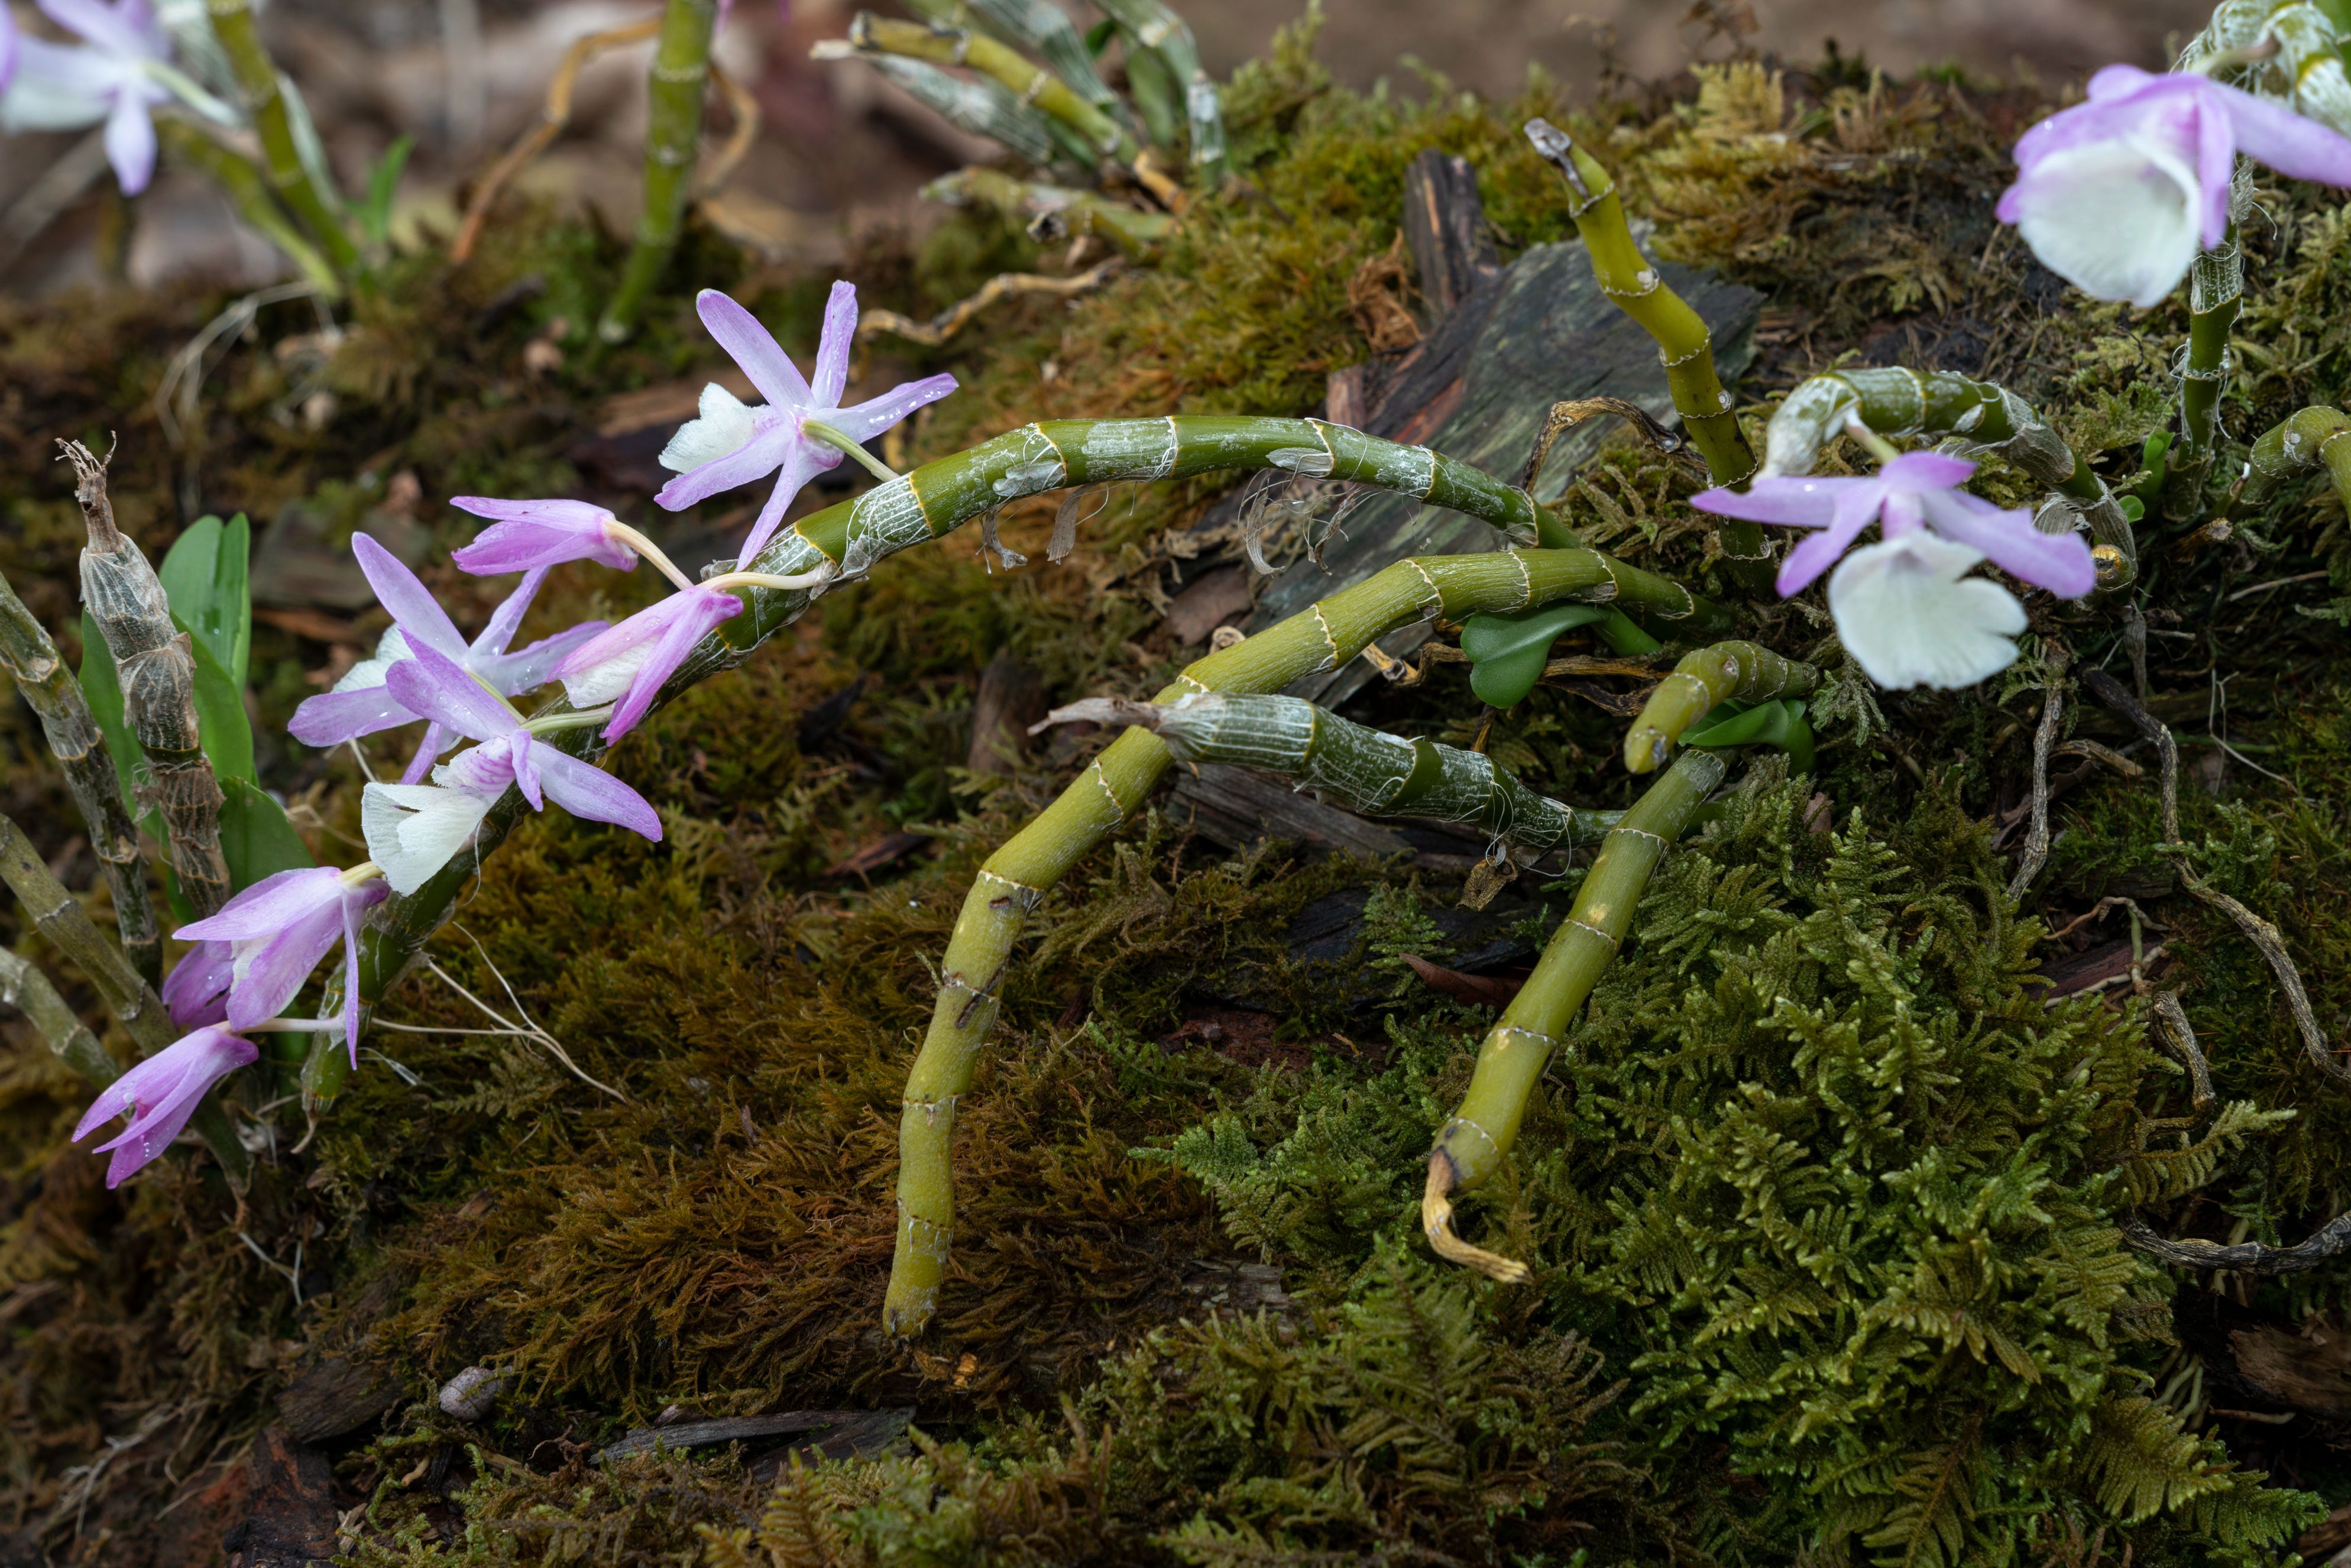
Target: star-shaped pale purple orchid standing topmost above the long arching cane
[(737, 443)]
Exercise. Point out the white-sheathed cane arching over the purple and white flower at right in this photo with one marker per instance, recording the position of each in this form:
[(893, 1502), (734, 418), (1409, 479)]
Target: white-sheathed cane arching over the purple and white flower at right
[(1938, 406)]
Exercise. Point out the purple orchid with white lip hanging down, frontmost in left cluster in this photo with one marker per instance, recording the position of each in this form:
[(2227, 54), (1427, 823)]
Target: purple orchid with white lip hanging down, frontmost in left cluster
[(441, 690)]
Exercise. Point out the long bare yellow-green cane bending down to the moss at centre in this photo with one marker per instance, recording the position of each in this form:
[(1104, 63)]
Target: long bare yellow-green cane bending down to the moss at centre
[(1104, 796)]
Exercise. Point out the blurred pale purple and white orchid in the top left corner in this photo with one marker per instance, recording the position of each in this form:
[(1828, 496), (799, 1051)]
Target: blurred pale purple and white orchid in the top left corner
[(114, 76)]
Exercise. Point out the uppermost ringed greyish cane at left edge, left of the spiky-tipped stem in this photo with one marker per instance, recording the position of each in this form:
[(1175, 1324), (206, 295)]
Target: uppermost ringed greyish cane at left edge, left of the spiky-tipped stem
[(91, 775)]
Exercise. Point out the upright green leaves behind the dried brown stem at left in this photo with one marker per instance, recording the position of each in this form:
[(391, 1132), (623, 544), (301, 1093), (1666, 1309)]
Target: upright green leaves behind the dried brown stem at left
[(208, 584)]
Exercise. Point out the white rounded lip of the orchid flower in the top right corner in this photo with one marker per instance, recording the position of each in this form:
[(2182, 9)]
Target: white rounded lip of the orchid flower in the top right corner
[(2117, 220)]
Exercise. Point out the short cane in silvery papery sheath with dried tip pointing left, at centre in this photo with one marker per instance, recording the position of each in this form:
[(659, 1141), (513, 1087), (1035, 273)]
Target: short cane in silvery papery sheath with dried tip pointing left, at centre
[(1351, 765)]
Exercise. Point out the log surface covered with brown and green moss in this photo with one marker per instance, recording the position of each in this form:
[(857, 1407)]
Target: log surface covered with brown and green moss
[(1821, 1193)]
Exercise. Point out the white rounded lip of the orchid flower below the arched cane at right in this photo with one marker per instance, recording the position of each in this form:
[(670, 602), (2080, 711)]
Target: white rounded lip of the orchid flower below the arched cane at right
[(1910, 619)]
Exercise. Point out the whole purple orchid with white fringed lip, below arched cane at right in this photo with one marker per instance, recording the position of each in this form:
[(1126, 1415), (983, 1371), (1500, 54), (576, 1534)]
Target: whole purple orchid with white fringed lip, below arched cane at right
[(1905, 608)]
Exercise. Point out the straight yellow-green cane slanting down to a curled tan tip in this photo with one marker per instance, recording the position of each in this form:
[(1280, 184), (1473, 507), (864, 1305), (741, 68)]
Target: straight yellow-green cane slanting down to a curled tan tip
[(1473, 1146)]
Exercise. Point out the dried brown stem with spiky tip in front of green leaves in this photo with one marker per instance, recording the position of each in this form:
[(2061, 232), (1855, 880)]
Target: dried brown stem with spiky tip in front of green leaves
[(159, 688)]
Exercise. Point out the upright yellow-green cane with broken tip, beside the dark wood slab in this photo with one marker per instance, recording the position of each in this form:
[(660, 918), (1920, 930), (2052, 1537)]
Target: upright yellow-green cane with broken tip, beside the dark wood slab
[(1684, 340)]
